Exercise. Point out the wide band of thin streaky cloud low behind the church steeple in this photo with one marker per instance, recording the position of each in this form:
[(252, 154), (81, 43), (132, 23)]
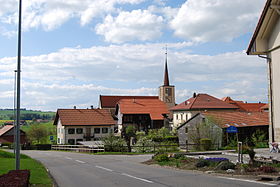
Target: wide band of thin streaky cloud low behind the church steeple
[(73, 76)]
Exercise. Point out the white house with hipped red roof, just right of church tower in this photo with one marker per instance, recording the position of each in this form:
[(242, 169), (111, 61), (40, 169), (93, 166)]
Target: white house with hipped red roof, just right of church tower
[(198, 103)]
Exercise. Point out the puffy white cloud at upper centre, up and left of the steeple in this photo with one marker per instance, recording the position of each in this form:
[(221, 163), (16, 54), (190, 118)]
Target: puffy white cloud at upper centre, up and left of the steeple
[(138, 25)]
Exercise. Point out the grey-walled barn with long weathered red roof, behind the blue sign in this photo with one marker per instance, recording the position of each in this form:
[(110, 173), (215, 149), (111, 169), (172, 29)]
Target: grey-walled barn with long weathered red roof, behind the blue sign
[(246, 123)]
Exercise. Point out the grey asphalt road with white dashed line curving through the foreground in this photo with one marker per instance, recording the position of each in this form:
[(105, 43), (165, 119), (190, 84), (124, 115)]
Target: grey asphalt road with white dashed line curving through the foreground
[(83, 170)]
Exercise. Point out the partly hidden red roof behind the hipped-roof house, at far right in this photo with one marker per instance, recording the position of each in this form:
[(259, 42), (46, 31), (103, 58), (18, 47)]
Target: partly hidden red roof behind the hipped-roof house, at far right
[(247, 107)]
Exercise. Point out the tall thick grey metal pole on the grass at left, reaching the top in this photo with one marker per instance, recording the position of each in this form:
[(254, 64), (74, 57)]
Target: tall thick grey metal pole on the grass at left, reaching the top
[(18, 92)]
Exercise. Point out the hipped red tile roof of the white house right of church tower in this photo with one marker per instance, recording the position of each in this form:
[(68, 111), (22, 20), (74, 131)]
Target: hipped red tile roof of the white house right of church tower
[(203, 101)]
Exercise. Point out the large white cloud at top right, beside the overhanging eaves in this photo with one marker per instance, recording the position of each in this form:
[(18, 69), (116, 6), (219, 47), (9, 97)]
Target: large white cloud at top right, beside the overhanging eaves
[(216, 20)]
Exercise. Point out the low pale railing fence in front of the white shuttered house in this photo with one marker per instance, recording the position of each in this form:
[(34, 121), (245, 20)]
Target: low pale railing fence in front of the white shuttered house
[(79, 148)]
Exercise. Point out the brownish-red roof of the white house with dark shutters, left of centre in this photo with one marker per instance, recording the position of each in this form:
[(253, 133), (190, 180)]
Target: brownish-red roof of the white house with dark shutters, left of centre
[(84, 117)]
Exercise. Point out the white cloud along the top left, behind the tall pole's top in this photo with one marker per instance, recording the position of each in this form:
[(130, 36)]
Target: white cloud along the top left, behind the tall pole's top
[(50, 14)]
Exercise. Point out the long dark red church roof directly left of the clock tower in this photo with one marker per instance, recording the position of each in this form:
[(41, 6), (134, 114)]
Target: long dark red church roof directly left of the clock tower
[(110, 101)]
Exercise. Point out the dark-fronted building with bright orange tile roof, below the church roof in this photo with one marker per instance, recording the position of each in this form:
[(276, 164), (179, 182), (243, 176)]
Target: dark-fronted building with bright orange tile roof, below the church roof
[(144, 114)]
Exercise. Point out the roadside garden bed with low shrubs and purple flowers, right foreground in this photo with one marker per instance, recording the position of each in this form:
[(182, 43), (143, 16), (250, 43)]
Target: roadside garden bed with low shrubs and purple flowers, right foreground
[(214, 165)]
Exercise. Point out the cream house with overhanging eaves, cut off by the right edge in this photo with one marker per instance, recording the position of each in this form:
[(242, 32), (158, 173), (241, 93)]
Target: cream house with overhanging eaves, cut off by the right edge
[(265, 43)]
